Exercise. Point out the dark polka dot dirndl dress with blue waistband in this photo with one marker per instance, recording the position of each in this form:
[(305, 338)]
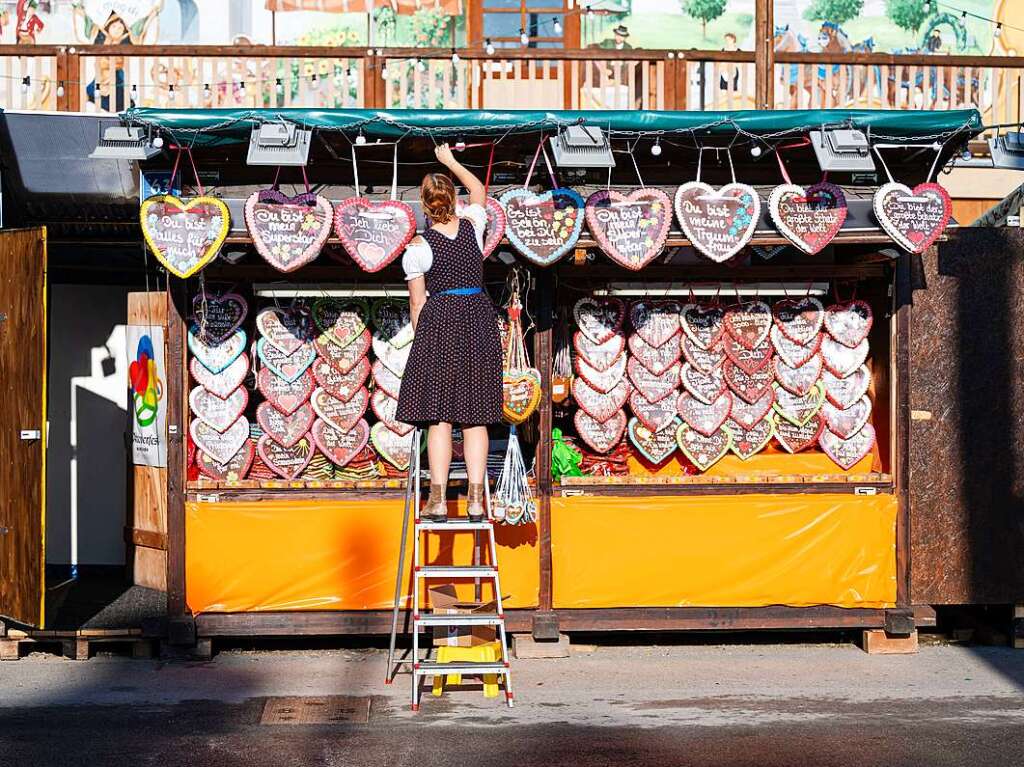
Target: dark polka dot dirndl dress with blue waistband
[(454, 374)]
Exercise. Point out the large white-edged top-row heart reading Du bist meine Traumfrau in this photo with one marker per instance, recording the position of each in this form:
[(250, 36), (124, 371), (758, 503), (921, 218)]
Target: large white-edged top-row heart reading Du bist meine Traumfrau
[(718, 223)]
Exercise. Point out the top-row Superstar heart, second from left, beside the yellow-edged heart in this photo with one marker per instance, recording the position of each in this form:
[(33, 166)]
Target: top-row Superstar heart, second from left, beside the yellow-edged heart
[(288, 233)]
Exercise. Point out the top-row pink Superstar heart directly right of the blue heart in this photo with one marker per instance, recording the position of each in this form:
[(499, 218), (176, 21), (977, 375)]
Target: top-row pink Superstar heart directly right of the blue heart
[(630, 229)]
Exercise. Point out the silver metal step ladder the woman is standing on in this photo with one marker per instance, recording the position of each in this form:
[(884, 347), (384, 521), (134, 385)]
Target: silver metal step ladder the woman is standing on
[(479, 571)]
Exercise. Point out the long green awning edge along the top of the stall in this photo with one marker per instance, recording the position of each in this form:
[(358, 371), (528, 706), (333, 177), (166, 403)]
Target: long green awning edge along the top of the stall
[(212, 127)]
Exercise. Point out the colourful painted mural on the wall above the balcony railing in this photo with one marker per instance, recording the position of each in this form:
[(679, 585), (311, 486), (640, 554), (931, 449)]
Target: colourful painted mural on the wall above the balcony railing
[(885, 26)]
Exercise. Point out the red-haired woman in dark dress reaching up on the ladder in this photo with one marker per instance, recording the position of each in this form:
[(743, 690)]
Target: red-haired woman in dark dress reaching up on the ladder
[(454, 374)]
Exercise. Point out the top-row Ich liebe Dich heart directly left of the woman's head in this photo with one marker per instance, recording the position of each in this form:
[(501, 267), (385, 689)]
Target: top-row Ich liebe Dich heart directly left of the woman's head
[(374, 233)]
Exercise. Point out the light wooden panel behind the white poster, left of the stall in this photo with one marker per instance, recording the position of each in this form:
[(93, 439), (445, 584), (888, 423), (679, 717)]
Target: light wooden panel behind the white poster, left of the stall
[(148, 535)]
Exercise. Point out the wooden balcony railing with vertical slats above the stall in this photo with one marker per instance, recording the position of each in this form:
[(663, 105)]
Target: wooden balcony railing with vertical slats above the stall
[(113, 78)]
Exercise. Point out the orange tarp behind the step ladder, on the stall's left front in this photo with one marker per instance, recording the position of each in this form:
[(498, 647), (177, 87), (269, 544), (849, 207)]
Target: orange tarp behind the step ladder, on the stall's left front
[(317, 556)]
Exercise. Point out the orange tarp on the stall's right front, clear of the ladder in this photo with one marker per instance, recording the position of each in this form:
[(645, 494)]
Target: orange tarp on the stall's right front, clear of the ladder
[(724, 551)]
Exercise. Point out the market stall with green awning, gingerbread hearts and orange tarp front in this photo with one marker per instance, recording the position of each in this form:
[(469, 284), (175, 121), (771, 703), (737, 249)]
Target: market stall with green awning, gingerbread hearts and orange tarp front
[(714, 409)]
